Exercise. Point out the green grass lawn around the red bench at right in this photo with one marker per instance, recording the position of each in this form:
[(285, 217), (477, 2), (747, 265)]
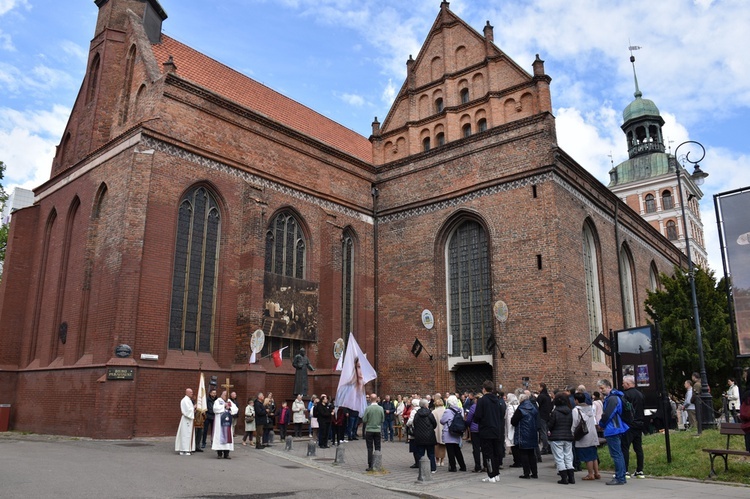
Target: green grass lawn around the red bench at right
[(688, 458)]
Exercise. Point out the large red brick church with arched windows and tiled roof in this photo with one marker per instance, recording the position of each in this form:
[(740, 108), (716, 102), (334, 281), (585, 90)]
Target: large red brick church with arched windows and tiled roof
[(190, 206)]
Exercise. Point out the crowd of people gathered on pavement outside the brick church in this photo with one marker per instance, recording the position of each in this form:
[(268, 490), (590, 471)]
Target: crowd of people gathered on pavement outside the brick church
[(490, 426)]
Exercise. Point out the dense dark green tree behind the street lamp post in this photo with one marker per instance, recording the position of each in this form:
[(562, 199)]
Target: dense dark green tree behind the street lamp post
[(672, 308)]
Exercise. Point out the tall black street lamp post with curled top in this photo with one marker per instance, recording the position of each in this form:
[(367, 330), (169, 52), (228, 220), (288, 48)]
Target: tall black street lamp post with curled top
[(698, 176)]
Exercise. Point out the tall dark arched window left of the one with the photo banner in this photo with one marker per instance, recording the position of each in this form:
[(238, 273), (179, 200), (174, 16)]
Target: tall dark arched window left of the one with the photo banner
[(195, 276)]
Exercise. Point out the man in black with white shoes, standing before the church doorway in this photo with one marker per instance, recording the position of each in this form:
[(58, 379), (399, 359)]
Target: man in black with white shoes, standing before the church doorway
[(491, 421)]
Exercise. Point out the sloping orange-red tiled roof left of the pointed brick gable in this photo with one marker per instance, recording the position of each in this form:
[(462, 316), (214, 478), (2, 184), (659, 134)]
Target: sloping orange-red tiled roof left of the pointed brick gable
[(217, 77)]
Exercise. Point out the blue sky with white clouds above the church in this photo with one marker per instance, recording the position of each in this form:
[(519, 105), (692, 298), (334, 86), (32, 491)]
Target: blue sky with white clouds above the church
[(346, 59)]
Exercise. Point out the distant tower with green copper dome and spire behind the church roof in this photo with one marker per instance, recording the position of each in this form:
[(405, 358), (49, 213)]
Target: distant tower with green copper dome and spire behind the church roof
[(647, 180)]
